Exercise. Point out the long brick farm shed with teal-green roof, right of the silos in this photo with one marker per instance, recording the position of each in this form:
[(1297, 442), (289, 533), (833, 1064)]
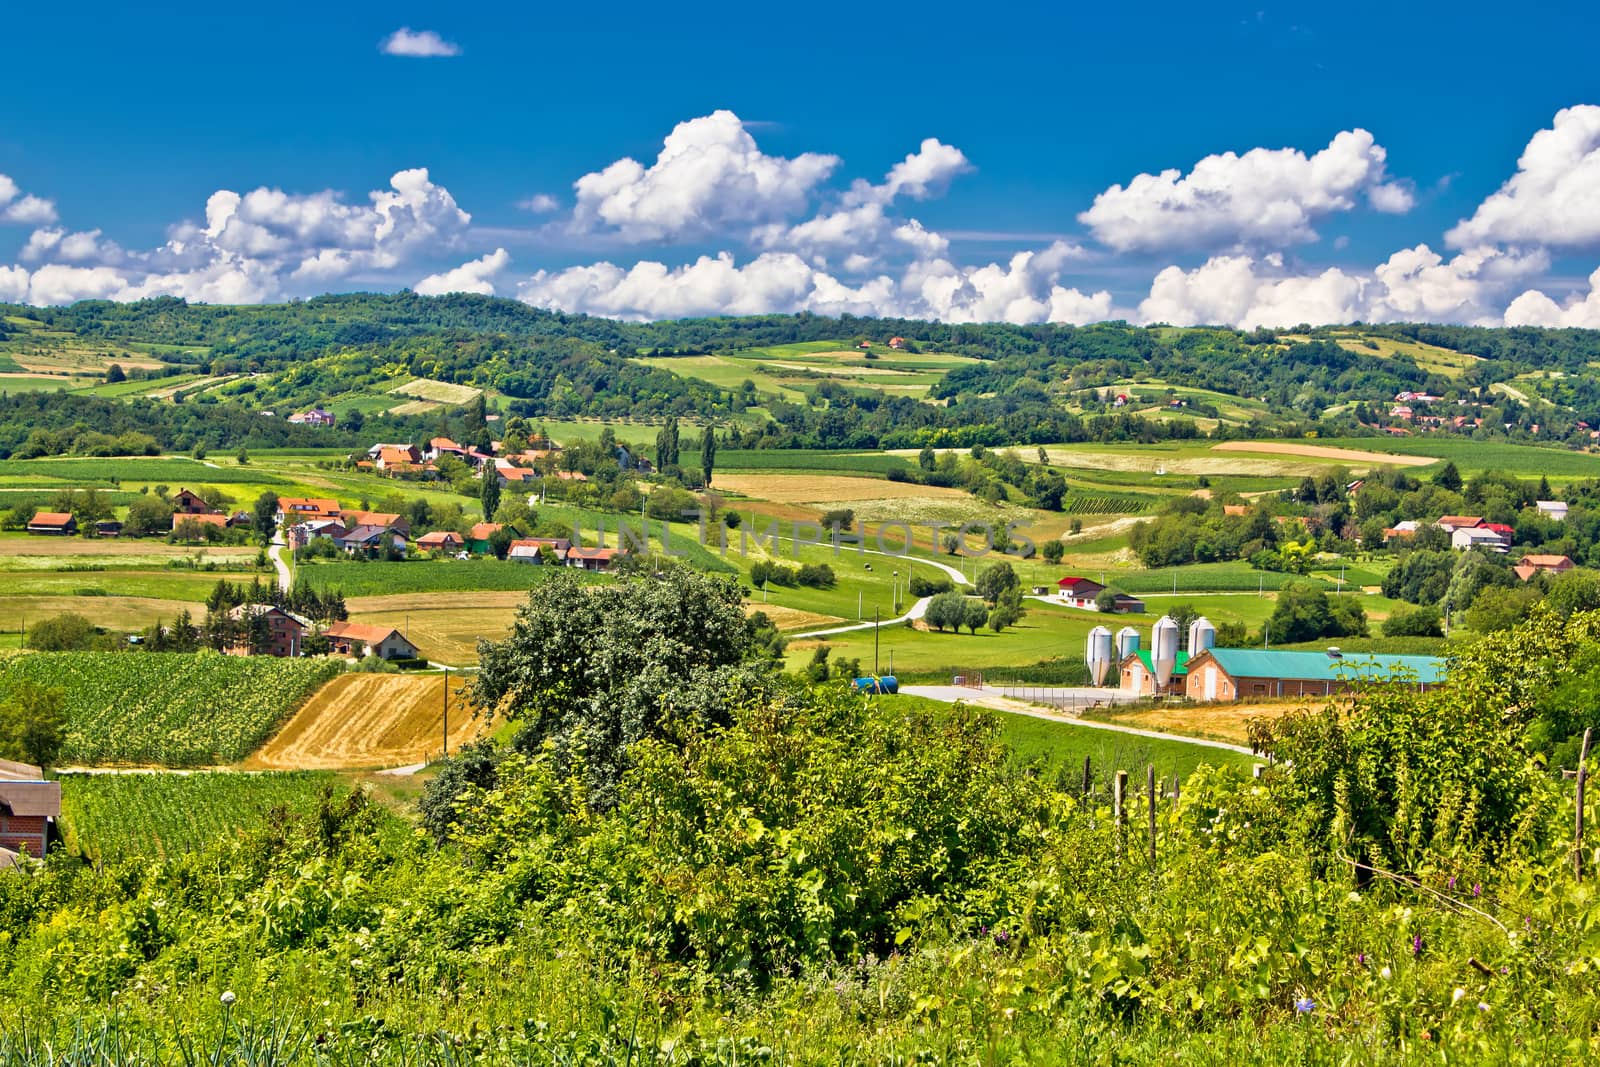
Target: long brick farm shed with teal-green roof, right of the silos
[(1234, 674)]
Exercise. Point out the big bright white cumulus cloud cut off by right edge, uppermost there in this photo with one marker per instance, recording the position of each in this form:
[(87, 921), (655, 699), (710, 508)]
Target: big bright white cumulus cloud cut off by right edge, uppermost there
[(1554, 198)]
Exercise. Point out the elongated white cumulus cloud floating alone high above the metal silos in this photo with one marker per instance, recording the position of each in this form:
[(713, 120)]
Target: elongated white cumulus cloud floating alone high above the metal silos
[(1263, 198)]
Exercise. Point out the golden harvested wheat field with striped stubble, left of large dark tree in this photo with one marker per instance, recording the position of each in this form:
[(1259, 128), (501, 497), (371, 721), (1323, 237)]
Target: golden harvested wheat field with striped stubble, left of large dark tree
[(362, 721)]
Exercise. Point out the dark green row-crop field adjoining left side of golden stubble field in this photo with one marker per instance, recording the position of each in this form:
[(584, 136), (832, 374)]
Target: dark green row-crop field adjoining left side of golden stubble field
[(169, 708)]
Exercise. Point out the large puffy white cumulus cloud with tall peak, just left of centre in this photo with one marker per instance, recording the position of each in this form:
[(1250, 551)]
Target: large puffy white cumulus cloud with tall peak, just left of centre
[(708, 178)]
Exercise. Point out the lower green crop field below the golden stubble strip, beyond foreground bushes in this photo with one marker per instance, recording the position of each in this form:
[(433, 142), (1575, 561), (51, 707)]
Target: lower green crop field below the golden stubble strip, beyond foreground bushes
[(111, 818)]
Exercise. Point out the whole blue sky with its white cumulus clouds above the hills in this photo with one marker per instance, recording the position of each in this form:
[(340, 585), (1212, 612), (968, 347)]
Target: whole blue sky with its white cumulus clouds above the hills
[(1028, 206)]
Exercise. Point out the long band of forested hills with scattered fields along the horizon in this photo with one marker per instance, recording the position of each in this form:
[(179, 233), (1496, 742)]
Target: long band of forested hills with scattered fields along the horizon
[(959, 385)]
